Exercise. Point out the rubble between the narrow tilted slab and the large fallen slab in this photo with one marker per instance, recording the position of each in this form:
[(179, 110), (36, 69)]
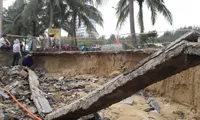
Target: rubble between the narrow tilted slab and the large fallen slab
[(63, 91)]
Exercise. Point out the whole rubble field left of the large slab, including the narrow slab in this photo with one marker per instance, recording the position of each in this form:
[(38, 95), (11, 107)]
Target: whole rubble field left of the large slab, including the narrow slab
[(40, 95)]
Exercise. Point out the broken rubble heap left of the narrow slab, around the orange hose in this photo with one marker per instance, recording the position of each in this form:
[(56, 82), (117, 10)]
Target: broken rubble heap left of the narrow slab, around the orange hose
[(13, 80)]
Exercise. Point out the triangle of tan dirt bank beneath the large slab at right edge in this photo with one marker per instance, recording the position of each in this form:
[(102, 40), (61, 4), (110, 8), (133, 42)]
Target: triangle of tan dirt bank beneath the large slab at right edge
[(183, 88)]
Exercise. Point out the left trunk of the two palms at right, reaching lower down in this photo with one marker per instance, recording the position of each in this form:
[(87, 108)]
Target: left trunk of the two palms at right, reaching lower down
[(132, 22)]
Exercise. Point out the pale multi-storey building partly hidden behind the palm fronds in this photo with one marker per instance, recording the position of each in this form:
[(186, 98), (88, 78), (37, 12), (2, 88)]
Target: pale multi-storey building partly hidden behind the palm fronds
[(81, 31)]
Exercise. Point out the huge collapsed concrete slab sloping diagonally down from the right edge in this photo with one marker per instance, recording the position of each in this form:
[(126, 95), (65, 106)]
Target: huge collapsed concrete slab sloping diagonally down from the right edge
[(182, 54)]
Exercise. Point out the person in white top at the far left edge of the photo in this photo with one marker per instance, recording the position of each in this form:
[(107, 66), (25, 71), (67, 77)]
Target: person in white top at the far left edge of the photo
[(4, 43)]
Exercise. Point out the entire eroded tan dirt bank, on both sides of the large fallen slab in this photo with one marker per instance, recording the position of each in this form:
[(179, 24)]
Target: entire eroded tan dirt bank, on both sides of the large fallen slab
[(181, 88)]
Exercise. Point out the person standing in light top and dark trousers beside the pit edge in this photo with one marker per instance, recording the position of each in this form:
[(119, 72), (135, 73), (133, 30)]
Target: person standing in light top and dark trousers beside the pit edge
[(16, 52)]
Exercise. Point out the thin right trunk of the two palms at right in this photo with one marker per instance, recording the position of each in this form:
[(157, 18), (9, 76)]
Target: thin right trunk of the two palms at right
[(141, 20)]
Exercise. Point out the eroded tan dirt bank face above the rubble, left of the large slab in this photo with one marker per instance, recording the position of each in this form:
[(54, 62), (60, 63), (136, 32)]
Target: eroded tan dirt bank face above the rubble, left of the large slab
[(101, 64)]
